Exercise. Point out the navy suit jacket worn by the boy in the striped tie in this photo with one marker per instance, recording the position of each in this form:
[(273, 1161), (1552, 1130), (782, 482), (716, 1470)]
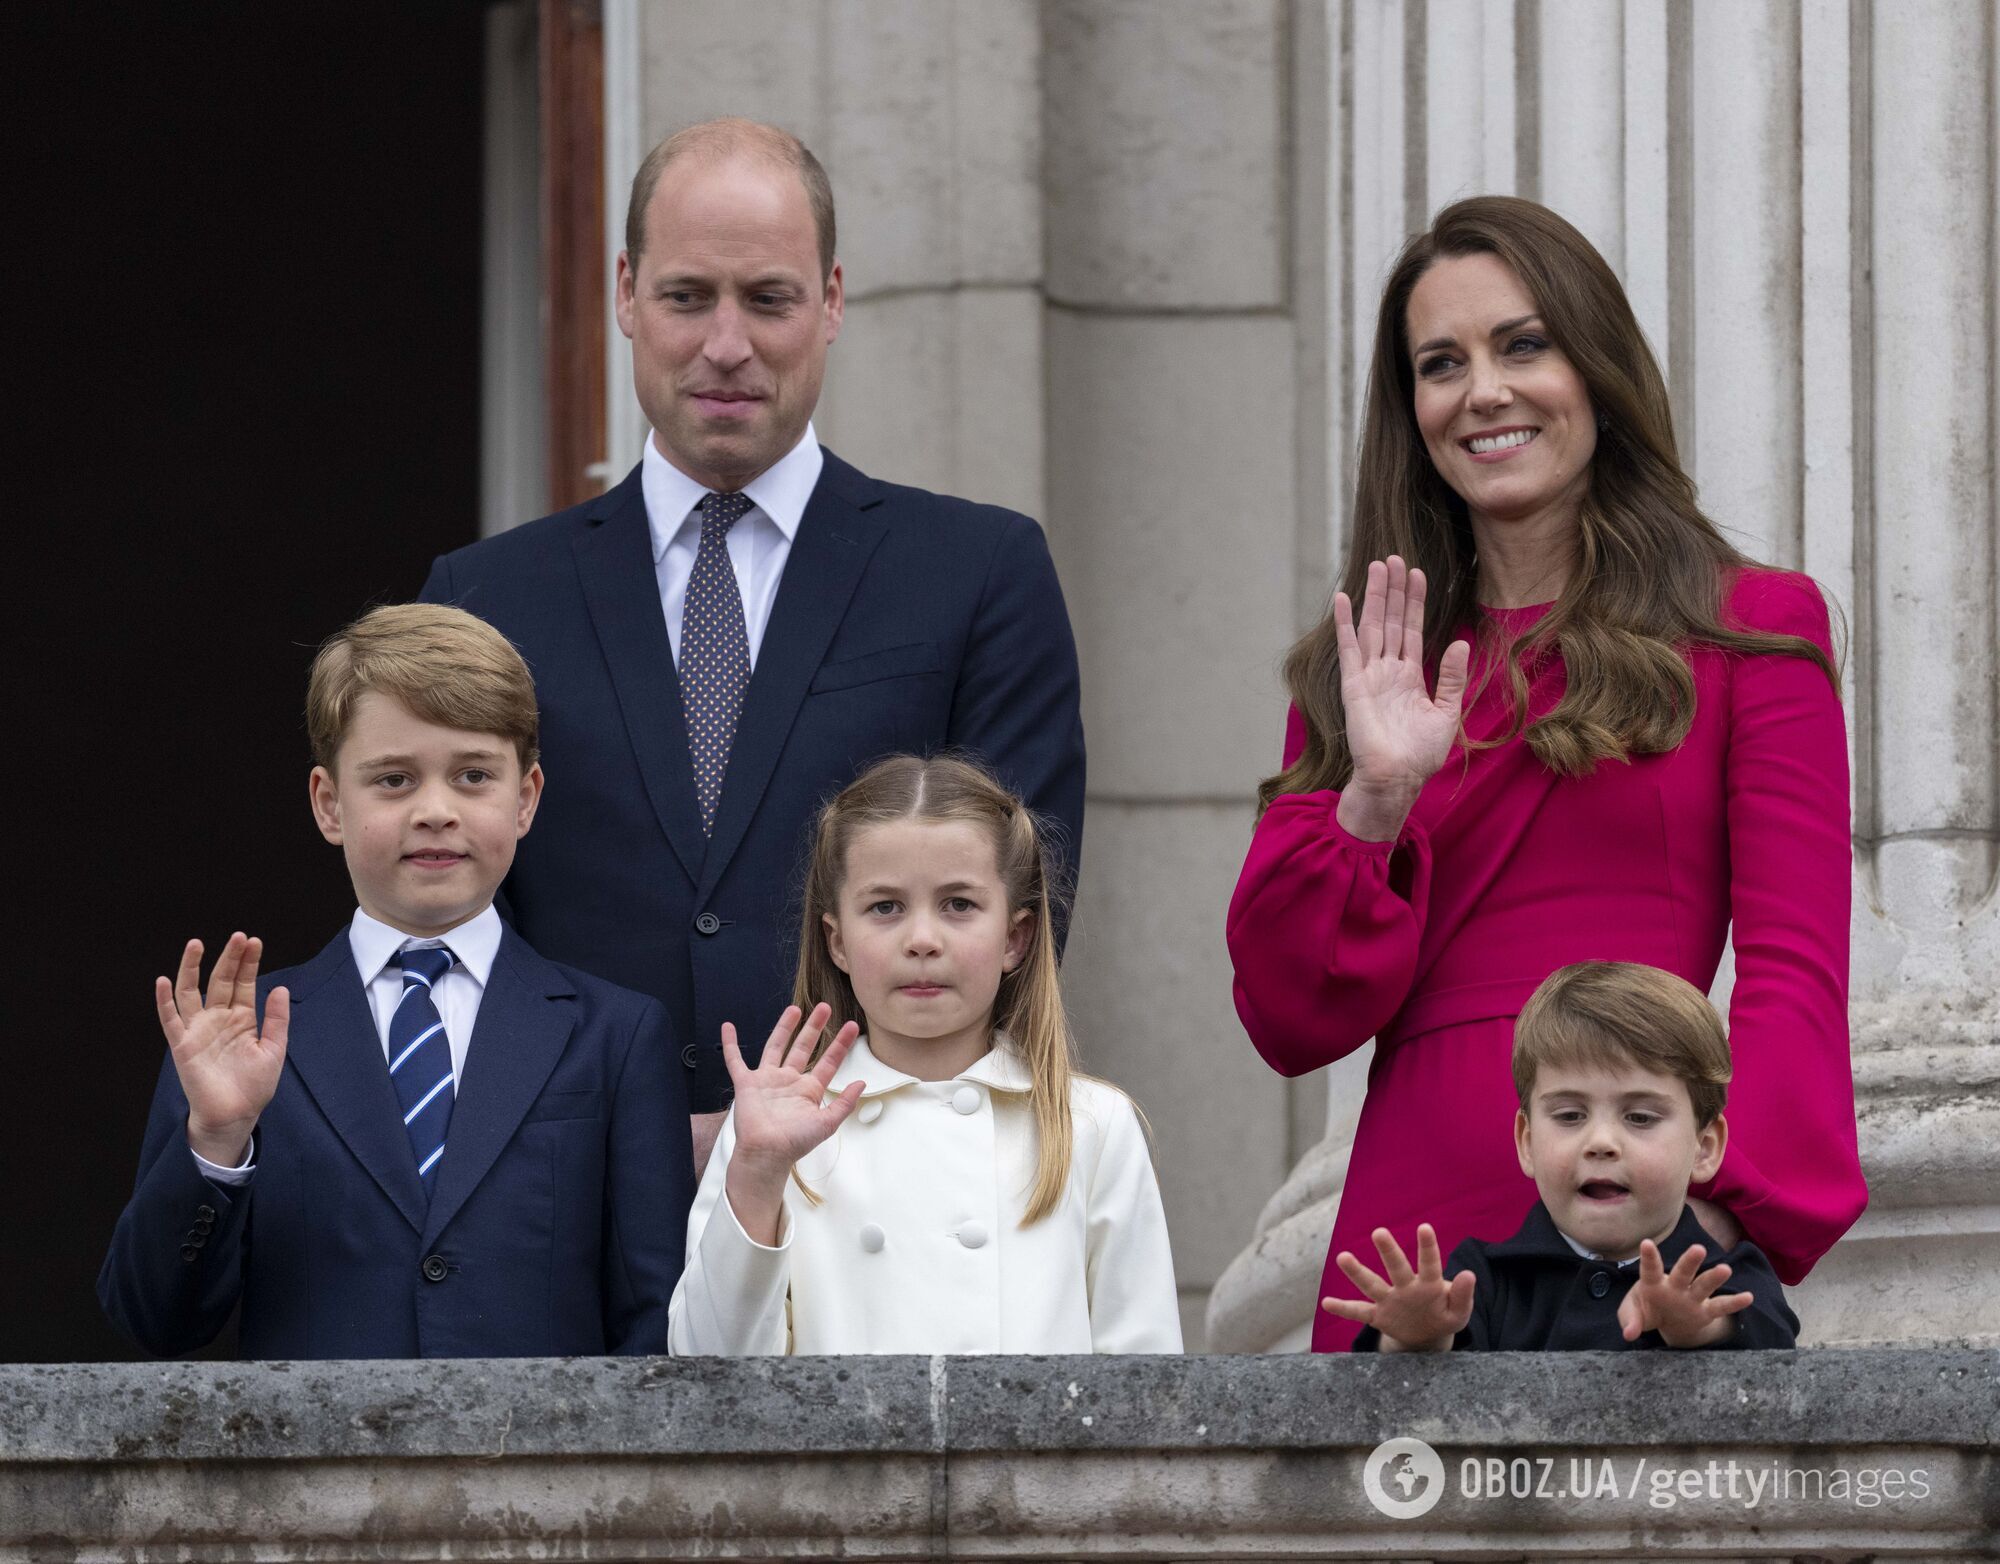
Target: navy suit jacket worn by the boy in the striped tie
[(559, 1217)]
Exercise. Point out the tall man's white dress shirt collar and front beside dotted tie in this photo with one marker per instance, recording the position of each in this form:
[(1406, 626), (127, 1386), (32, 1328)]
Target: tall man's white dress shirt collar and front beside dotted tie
[(759, 543)]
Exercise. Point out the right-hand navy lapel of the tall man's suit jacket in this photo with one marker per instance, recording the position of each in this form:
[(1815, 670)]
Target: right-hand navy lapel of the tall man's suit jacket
[(835, 539)]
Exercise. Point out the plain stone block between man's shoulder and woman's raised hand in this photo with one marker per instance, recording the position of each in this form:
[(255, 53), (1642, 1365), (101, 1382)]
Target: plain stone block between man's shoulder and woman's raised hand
[(1173, 517)]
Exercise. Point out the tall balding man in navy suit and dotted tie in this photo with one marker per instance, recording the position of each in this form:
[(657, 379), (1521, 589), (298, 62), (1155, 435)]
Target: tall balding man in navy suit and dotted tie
[(725, 639)]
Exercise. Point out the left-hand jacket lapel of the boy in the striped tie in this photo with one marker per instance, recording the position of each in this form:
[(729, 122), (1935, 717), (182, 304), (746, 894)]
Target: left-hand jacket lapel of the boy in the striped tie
[(339, 1057)]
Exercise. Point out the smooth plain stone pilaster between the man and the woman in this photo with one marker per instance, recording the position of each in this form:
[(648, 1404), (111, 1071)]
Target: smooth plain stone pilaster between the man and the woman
[(1173, 513)]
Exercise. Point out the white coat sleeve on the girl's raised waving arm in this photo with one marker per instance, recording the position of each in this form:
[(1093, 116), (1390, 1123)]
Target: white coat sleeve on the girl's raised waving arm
[(733, 1295)]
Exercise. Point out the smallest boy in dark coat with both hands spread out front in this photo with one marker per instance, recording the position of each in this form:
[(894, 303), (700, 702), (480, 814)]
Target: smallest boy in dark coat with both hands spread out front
[(1623, 1075)]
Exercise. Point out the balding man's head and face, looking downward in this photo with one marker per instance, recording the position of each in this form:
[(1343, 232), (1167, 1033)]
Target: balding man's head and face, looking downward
[(729, 315)]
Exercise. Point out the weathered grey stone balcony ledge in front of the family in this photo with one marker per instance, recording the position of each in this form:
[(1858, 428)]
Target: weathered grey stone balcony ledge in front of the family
[(997, 1457)]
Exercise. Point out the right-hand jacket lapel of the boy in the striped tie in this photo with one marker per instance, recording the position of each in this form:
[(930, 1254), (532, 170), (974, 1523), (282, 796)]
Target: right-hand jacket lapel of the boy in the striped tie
[(517, 1041)]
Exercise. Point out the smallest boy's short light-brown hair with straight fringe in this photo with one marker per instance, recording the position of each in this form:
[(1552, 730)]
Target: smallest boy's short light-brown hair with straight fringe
[(1623, 1013)]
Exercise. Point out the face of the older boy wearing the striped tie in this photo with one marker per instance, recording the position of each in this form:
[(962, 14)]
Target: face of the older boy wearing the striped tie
[(427, 817)]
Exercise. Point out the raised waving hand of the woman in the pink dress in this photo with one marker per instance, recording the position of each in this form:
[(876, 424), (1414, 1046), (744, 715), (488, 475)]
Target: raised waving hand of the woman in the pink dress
[(1397, 731)]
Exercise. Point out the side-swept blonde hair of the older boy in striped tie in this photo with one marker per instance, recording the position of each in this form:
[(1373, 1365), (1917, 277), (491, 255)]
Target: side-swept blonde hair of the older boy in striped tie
[(441, 663)]
